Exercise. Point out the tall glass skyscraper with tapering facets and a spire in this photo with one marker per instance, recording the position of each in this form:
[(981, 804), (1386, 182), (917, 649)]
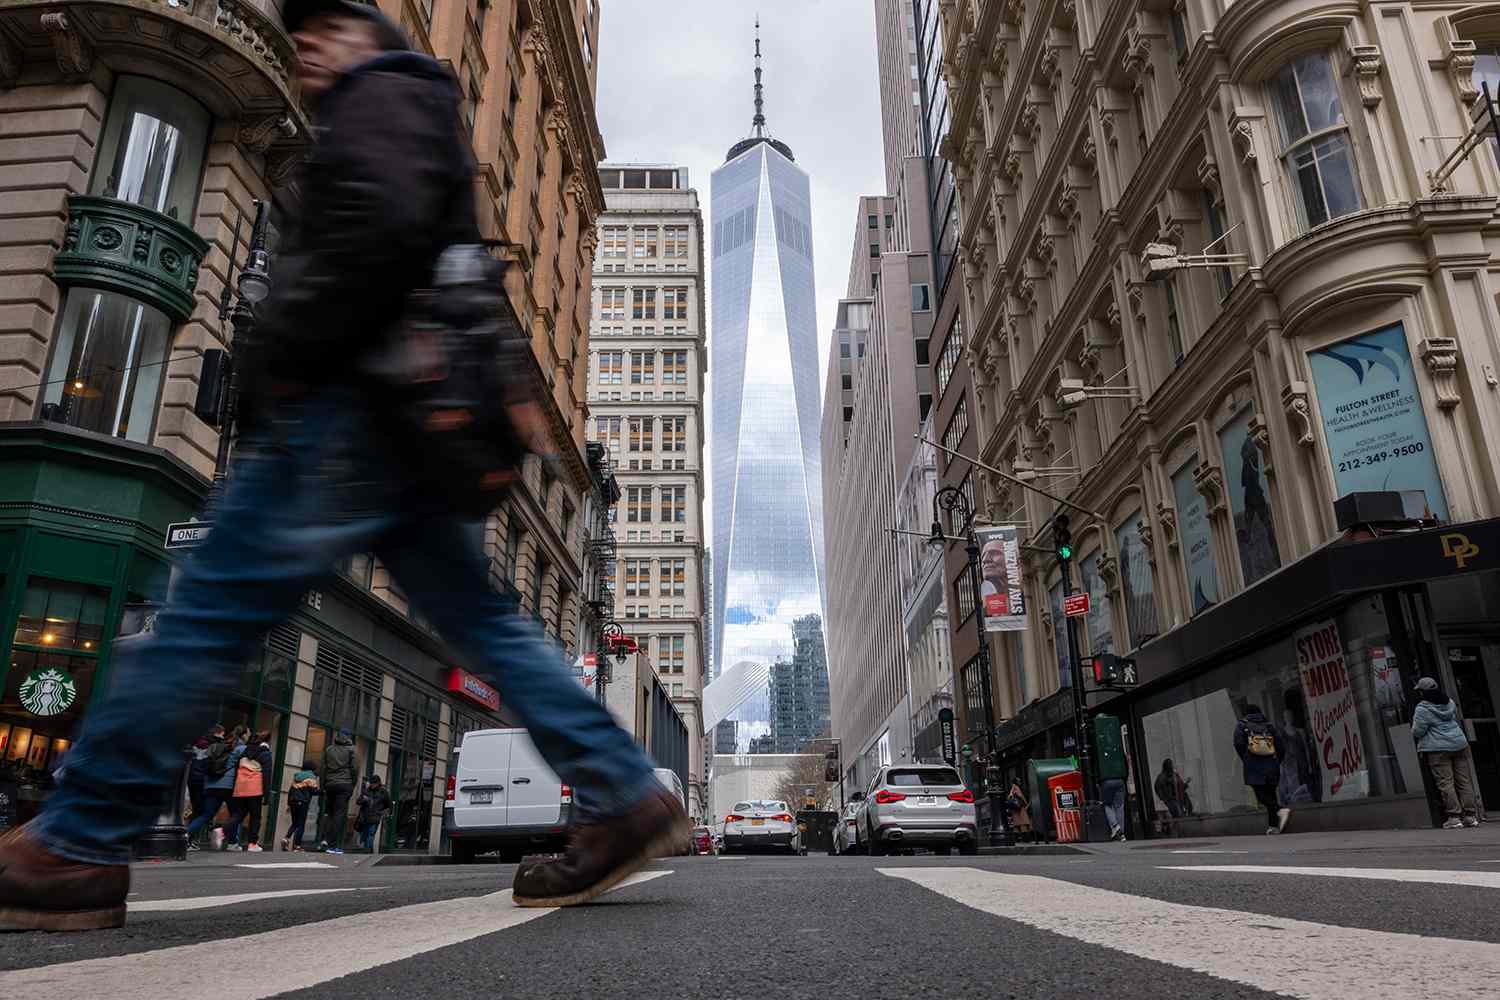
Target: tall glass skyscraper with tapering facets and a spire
[(769, 567)]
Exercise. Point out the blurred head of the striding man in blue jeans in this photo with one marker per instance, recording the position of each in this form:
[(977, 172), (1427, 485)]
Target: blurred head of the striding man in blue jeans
[(334, 37)]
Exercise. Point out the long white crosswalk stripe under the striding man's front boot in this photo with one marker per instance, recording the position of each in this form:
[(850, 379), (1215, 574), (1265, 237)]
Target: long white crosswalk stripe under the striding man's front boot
[(301, 957)]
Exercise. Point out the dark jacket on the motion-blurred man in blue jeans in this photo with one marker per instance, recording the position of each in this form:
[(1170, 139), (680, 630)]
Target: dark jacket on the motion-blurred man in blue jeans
[(388, 185)]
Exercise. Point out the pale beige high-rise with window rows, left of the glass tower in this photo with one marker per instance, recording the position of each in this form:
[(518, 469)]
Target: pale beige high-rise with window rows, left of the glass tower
[(646, 395)]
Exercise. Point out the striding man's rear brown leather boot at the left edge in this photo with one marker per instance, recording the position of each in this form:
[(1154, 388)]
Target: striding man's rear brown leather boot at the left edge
[(44, 893)]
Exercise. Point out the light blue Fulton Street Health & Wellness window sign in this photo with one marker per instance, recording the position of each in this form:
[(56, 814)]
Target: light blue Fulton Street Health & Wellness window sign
[(1373, 419)]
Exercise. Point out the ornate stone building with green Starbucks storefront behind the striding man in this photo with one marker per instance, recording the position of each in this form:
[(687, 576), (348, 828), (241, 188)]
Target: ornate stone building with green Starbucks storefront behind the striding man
[(134, 140)]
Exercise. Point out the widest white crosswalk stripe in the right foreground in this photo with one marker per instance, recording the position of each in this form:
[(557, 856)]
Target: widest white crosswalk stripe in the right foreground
[(1300, 959)]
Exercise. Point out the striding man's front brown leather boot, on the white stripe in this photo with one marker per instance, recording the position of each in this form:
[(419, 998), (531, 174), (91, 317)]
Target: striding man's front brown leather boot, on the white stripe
[(602, 855)]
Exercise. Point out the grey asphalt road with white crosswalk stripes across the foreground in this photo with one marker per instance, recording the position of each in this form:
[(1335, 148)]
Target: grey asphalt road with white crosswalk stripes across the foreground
[(1328, 918)]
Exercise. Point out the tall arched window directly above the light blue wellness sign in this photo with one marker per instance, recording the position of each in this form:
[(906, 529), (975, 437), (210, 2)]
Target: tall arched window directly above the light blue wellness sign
[(1315, 139)]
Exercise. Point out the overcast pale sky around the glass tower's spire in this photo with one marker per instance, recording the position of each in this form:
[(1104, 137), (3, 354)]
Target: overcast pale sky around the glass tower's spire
[(676, 86)]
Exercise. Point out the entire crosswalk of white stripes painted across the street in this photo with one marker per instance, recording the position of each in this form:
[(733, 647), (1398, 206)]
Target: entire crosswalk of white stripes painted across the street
[(1241, 948)]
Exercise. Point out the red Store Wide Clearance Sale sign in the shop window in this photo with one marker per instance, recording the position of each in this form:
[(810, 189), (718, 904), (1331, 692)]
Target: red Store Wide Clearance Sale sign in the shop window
[(1331, 711)]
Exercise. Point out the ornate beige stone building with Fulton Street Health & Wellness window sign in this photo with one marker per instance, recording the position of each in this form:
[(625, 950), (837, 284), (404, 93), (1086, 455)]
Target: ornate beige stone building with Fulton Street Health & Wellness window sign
[(1208, 421)]
